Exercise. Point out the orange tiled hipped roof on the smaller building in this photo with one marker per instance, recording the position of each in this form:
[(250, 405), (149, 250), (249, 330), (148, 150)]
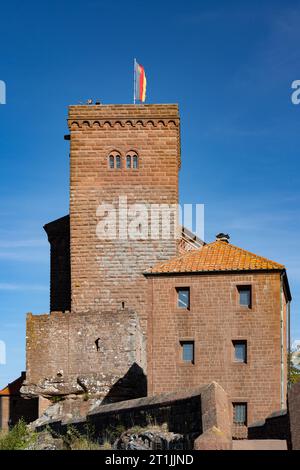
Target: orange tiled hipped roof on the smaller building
[(216, 256)]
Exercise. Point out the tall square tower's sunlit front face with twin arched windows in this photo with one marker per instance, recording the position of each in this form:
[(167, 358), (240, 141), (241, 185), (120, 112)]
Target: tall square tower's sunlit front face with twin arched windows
[(130, 152)]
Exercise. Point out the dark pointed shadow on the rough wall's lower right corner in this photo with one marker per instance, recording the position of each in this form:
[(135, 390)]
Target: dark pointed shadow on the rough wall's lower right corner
[(132, 385)]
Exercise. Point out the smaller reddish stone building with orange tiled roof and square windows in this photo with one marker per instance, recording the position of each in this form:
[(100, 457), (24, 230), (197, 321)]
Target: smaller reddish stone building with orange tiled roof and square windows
[(220, 313)]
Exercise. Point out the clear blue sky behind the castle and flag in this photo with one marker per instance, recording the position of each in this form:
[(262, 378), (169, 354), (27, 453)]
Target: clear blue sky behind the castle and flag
[(229, 65)]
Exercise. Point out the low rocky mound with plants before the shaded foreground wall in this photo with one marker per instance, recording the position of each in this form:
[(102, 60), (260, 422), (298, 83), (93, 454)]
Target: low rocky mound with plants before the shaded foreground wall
[(153, 438)]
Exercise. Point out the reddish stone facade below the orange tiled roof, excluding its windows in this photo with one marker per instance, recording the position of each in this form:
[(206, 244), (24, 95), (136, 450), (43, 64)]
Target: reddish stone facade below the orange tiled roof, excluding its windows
[(215, 319)]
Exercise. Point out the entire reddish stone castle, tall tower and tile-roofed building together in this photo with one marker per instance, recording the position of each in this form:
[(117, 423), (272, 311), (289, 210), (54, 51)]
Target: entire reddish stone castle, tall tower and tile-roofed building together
[(147, 315)]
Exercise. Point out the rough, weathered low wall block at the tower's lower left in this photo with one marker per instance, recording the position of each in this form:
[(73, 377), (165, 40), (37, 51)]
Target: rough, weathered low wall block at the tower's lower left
[(101, 353)]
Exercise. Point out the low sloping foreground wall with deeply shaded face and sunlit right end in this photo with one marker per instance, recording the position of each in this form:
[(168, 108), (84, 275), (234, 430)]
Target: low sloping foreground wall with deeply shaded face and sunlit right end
[(201, 415)]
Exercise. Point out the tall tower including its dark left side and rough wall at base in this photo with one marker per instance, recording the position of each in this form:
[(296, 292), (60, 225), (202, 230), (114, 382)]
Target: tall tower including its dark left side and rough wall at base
[(94, 339)]
